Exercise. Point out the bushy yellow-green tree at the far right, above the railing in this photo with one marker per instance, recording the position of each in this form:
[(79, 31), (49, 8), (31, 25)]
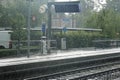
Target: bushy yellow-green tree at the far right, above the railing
[(107, 20)]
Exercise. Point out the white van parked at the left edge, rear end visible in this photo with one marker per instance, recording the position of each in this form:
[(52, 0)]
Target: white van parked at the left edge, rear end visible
[(5, 39)]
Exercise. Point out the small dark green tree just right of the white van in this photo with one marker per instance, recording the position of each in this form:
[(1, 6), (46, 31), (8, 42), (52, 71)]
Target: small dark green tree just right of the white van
[(18, 23)]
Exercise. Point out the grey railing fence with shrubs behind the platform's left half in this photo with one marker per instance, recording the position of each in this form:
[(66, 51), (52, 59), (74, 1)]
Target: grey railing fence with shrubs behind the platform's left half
[(19, 48)]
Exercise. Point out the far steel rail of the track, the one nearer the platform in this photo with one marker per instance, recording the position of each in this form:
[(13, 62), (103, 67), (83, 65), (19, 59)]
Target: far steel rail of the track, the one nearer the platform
[(63, 73)]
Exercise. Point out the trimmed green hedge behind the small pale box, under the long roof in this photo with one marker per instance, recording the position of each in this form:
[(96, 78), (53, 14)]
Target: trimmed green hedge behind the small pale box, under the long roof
[(78, 39)]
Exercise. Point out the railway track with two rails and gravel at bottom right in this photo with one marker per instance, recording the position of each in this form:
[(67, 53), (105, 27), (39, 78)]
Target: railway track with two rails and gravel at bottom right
[(92, 72)]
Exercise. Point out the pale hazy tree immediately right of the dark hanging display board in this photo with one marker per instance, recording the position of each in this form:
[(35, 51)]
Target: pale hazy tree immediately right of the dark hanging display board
[(86, 10)]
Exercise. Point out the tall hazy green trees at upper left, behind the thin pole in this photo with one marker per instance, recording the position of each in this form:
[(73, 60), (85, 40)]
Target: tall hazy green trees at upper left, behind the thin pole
[(14, 14)]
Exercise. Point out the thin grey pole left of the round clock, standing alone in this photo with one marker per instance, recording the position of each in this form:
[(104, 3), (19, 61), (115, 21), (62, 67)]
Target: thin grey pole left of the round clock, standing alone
[(28, 28)]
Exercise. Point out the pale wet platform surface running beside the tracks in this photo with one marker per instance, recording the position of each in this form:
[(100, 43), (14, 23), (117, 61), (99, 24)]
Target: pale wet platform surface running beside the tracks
[(57, 56)]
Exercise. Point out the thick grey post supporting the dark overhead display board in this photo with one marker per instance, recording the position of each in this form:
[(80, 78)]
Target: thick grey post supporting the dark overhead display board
[(49, 27)]
